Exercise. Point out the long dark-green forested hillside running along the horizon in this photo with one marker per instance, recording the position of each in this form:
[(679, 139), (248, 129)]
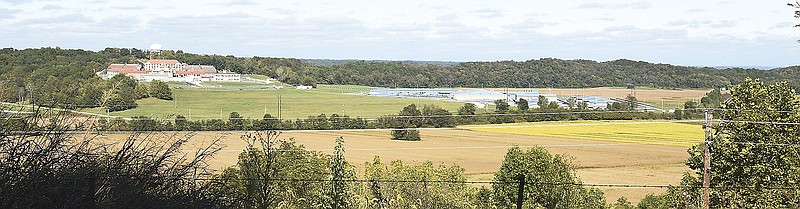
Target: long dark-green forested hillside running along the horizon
[(22, 68)]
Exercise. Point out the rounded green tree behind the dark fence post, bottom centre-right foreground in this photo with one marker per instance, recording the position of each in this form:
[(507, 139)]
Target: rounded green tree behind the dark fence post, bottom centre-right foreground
[(550, 182)]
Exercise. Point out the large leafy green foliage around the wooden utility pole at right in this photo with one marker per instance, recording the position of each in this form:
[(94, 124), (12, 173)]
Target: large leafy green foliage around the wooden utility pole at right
[(754, 155)]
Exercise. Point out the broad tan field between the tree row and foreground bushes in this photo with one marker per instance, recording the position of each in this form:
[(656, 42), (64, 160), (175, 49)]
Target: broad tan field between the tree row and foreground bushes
[(481, 153)]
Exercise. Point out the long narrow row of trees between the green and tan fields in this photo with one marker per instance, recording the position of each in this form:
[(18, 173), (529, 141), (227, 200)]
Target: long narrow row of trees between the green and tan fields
[(410, 117)]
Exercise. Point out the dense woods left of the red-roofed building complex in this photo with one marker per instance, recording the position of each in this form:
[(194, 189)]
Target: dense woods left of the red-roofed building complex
[(65, 78)]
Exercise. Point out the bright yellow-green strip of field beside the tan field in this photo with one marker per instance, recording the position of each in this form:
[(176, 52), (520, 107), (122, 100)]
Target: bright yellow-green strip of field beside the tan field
[(643, 132)]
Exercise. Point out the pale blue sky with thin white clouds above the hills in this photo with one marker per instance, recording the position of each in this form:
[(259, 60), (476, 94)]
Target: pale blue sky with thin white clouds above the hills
[(682, 32)]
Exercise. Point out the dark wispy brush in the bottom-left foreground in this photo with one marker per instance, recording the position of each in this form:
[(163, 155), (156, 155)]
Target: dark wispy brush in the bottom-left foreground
[(42, 165)]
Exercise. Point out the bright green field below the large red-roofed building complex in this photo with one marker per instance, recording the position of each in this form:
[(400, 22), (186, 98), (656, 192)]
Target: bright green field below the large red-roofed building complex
[(217, 100)]
